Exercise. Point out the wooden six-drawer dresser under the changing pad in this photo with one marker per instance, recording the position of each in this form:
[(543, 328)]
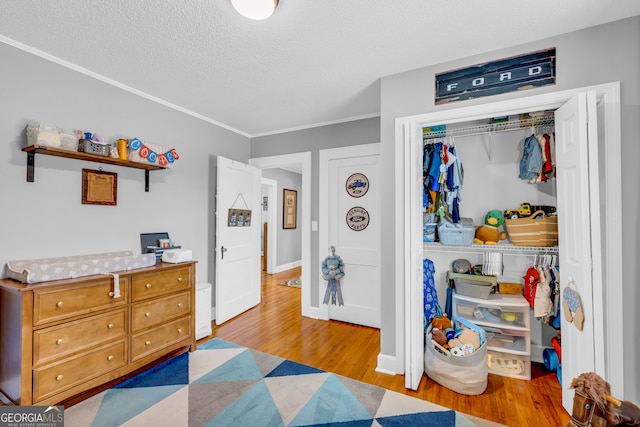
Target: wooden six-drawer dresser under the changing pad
[(63, 337)]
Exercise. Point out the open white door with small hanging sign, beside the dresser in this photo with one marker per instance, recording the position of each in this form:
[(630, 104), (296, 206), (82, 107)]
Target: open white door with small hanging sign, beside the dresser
[(237, 286)]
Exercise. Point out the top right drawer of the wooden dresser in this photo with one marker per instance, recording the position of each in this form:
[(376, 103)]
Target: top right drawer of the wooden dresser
[(149, 285)]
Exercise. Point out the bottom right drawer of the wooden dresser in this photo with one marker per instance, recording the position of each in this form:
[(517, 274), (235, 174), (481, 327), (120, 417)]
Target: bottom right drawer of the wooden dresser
[(147, 343)]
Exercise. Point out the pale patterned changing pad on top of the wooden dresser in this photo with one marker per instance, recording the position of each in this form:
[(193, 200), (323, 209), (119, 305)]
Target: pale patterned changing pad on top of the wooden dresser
[(46, 269)]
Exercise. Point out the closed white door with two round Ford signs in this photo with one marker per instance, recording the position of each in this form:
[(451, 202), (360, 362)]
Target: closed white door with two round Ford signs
[(349, 189)]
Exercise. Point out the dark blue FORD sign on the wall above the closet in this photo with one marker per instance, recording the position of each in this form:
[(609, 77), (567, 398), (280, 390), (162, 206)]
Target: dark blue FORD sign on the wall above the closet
[(492, 78)]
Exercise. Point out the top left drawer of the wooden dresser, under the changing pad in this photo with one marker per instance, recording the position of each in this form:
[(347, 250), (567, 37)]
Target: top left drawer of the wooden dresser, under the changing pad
[(62, 303)]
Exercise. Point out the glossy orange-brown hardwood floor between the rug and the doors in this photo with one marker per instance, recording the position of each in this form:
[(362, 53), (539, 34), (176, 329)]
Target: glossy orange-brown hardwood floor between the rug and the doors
[(276, 327)]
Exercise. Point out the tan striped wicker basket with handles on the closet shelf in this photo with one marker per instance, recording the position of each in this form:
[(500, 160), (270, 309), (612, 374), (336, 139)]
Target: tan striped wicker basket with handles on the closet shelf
[(533, 231)]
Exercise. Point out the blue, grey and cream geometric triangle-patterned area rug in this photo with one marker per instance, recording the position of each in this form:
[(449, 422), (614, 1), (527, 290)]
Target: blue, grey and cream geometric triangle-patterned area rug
[(225, 384)]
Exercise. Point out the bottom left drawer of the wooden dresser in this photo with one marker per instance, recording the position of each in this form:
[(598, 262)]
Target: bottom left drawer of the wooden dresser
[(54, 379)]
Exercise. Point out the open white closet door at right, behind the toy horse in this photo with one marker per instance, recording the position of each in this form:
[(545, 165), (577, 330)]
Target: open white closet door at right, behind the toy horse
[(579, 236)]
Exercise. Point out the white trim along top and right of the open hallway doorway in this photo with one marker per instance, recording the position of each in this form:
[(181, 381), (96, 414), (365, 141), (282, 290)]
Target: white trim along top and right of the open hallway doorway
[(302, 162)]
